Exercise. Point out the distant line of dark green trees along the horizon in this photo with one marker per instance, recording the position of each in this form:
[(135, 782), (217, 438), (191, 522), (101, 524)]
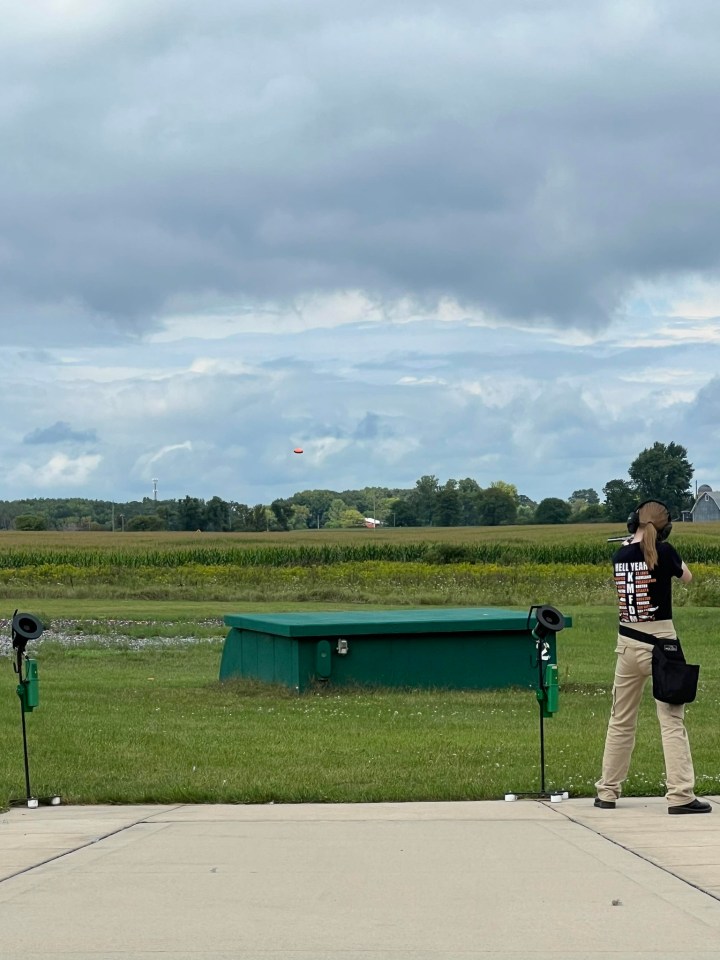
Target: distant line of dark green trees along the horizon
[(661, 471)]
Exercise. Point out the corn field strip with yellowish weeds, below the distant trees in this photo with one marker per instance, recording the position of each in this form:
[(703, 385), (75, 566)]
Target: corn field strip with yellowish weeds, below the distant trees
[(474, 566)]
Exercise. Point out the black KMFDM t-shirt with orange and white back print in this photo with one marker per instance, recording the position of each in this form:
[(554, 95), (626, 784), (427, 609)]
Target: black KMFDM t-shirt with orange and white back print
[(645, 595)]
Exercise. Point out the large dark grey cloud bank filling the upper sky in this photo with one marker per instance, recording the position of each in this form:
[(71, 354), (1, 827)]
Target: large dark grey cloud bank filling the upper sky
[(527, 162)]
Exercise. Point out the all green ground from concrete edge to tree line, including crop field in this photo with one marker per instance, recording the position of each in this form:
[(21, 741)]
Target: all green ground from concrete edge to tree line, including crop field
[(133, 712)]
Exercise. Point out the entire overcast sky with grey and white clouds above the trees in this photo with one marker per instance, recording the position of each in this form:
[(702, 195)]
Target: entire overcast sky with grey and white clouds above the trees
[(476, 238)]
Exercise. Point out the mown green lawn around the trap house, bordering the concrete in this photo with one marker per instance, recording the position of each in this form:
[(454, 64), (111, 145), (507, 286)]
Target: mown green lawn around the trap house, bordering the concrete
[(124, 725)]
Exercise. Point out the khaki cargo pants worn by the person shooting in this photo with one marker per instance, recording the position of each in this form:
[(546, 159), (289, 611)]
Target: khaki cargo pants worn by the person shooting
[(633, 668)]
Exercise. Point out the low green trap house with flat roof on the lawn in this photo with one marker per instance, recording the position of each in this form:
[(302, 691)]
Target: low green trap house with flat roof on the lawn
[(476, 648)]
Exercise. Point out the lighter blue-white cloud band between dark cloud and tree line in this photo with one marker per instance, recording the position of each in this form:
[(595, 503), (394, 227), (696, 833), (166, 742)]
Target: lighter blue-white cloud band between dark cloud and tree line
[(370, 405)]
